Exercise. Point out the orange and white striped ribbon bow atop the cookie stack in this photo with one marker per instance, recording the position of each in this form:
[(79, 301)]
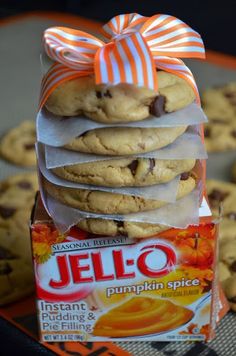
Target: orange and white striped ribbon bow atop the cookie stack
[(132, 48)]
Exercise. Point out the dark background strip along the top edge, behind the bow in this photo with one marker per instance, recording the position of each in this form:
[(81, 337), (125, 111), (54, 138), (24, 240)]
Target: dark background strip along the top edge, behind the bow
[(215, 20)]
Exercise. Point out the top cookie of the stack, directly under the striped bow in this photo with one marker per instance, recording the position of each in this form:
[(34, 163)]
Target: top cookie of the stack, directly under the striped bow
[(122, 102)]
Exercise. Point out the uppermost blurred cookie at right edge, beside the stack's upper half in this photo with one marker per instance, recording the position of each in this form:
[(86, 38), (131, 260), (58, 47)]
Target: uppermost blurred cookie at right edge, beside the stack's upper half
[(219, 105)]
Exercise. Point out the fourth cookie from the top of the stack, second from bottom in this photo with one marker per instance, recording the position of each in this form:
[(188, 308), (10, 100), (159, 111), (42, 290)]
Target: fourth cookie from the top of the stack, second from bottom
[(109, 203)]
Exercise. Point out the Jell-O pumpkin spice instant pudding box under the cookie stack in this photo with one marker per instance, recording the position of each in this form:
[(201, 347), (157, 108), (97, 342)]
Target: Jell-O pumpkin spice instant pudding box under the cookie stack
[(94, 288)]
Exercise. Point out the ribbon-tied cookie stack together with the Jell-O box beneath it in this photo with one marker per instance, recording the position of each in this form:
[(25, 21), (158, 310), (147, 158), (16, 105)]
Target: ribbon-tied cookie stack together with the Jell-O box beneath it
[(123, 241)]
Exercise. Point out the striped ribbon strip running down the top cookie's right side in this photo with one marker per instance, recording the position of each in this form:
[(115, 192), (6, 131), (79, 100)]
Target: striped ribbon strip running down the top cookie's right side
[(178, 67)]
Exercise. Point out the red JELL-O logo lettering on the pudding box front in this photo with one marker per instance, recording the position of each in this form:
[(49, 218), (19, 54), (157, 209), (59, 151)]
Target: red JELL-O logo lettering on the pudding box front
[(154, 260)]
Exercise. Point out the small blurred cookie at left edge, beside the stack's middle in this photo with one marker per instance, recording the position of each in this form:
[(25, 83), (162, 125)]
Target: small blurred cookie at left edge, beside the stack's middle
[(17, 146)]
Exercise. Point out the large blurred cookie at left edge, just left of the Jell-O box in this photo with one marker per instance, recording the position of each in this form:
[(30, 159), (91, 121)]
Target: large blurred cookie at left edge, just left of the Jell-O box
[(16, 200)]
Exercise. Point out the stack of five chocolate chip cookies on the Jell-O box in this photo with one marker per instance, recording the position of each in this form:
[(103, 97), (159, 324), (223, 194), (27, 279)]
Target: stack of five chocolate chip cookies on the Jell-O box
[(119, 151)]
